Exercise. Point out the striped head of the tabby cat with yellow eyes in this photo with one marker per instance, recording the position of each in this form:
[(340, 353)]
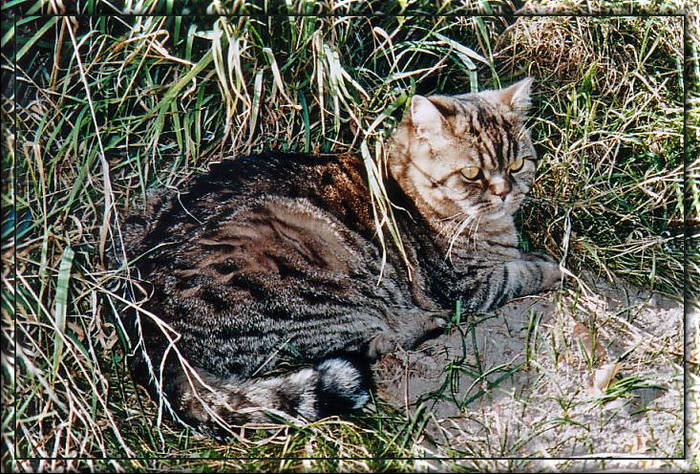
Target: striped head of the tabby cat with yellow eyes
[(465, 155)]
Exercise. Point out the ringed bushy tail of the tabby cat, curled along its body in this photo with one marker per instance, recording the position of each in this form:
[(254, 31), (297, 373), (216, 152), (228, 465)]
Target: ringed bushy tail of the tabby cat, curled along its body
[(332, 387)]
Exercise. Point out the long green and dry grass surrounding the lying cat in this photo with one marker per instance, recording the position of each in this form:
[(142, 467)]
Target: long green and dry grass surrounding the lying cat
[(121, 105)]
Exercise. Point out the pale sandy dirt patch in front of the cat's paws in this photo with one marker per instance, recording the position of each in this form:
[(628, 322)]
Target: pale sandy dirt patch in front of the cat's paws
[(596, 371)]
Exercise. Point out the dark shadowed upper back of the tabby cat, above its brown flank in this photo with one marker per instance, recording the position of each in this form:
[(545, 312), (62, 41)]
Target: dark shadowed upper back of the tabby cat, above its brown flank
[(334, 184)]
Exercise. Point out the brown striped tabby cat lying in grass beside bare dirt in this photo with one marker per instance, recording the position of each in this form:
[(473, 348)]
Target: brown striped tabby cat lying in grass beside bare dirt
[(267, 266)]
